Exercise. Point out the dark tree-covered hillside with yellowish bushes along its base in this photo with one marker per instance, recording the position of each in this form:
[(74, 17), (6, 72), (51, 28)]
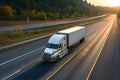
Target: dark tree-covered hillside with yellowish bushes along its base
[(47, 9)]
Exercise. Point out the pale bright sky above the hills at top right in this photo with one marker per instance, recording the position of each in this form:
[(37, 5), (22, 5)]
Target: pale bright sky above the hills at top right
[(105, 2)]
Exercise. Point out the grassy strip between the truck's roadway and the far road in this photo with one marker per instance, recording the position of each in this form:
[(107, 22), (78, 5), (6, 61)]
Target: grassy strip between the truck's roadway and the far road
[(14, 37)]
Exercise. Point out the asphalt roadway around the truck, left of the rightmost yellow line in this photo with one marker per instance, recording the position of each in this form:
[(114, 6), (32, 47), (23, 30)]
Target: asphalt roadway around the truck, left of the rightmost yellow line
[(25, 62)]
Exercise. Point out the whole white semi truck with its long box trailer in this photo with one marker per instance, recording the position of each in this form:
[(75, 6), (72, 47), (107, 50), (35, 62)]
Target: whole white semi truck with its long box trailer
[(63, 42)]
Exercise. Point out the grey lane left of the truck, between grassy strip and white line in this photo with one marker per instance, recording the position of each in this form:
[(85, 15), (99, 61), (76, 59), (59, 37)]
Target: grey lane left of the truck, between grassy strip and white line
[(8, 54)]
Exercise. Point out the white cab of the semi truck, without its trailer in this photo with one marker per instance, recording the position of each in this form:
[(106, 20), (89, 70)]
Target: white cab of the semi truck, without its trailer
[(56, 48)]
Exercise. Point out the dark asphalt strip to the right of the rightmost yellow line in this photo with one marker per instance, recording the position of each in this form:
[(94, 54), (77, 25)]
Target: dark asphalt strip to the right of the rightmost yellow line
[(108, 64)]
